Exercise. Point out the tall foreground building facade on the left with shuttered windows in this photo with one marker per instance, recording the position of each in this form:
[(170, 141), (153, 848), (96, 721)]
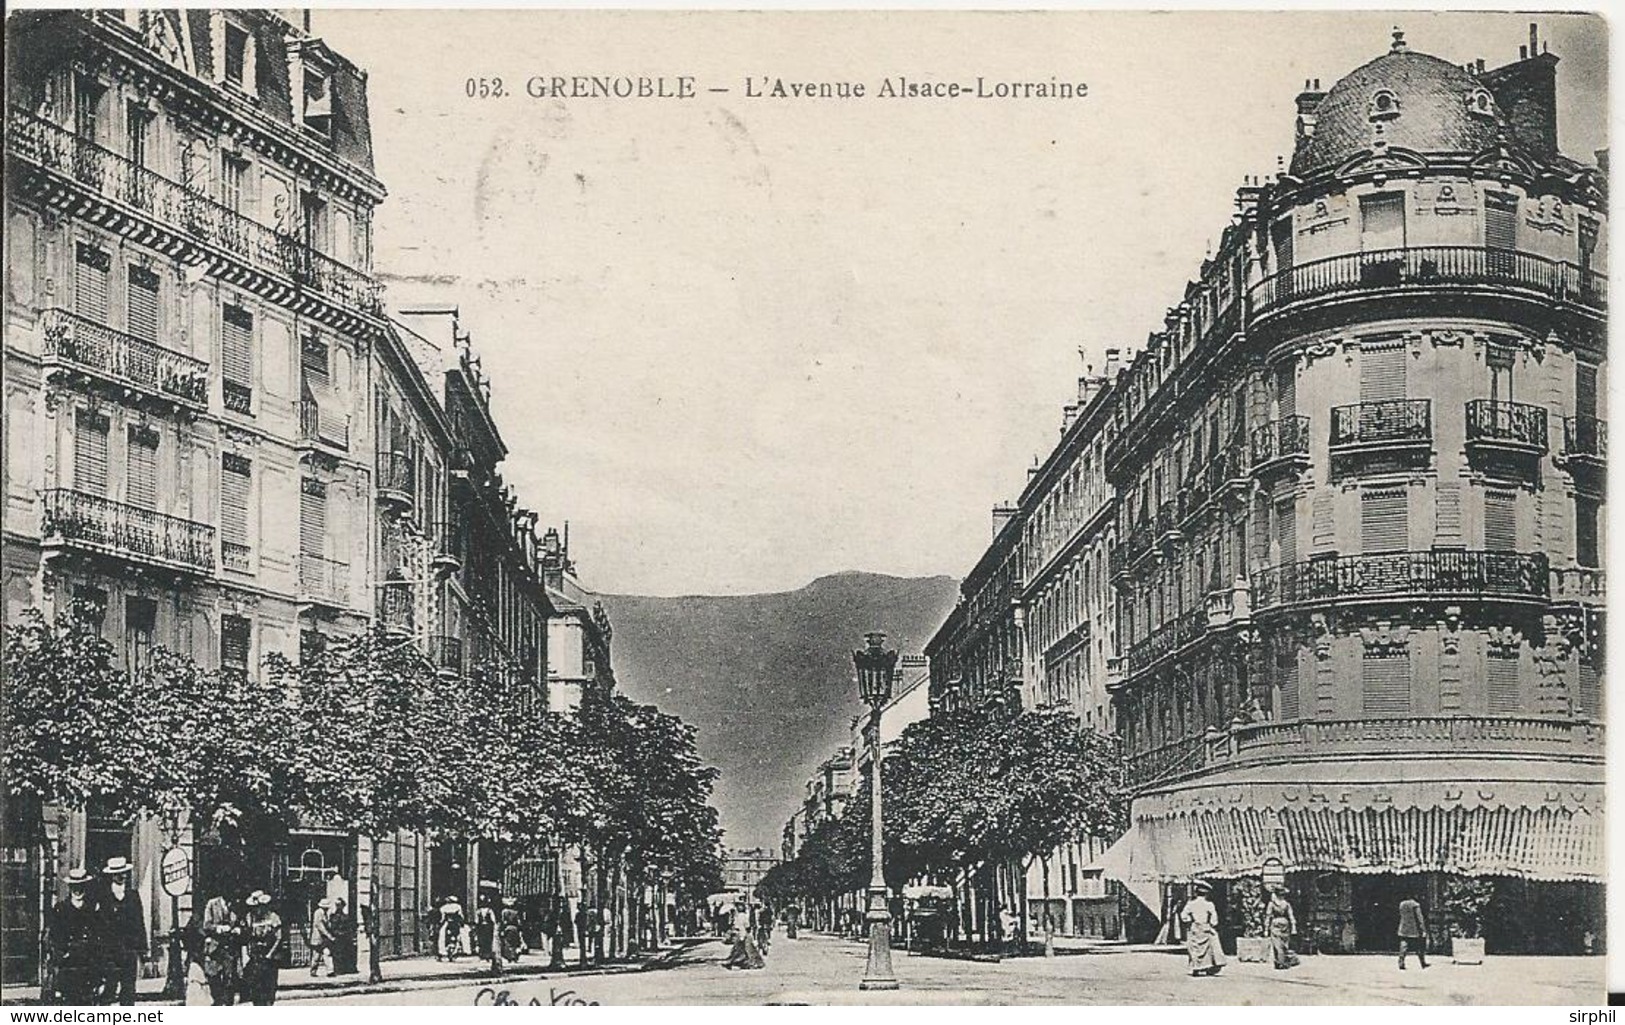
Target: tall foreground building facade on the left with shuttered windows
[(189, 316)]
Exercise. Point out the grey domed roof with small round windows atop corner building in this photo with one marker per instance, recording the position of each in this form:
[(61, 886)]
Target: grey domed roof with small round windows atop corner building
[(1408, 100)]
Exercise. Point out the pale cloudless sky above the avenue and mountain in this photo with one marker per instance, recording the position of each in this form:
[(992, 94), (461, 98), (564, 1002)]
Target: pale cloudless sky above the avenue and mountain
[(743, 342)]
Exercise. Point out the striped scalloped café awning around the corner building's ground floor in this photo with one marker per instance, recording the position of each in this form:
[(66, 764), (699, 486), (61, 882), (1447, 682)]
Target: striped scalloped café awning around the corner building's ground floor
[(1545, 834)]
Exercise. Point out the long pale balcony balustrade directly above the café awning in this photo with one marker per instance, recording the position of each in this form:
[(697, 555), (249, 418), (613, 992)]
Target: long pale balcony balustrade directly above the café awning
[(1385, 738)]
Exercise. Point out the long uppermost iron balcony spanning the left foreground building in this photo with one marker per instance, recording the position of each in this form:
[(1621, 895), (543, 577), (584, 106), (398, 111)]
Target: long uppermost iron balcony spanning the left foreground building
[(63, 162)]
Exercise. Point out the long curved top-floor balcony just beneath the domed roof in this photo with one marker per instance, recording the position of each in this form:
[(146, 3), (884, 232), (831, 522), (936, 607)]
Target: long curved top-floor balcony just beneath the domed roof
[(1429, 270)]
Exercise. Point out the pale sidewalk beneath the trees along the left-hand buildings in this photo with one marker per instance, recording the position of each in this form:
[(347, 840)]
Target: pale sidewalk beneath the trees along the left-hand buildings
[(409, 974)]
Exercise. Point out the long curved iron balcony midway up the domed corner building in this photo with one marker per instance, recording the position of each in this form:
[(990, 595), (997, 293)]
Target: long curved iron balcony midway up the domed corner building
[(1437, 574)]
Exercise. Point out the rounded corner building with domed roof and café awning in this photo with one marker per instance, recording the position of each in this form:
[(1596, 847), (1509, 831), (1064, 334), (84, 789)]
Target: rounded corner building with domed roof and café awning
[(1359, 483)]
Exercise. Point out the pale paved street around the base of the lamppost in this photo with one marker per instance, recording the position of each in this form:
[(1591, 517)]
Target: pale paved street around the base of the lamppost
[(821, 969)]
